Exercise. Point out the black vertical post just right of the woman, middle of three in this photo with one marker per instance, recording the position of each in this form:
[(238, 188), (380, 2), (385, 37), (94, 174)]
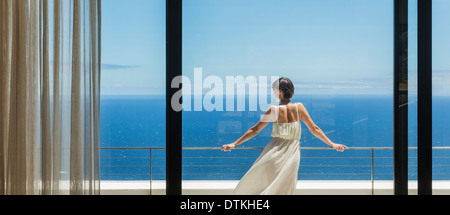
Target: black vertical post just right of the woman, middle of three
[(401, 97)]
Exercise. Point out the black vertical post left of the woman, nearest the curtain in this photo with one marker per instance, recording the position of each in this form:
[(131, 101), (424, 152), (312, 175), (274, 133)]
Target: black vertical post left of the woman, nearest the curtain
[(173, 118)]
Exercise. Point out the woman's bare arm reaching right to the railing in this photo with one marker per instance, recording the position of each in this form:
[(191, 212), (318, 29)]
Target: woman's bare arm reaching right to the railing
[(314, 129)]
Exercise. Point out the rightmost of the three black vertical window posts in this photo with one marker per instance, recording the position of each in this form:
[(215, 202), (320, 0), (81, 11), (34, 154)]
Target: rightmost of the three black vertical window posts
[(424, 97)]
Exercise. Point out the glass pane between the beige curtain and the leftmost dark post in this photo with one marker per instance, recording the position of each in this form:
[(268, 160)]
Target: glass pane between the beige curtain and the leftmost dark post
[(133, 94)]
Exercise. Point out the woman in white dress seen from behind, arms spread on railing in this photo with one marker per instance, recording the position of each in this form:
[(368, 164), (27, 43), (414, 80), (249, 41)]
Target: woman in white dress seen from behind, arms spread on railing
[(275, 171)]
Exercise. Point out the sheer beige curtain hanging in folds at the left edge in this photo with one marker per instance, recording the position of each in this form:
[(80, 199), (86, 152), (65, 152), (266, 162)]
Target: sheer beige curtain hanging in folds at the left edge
[(49, 96)]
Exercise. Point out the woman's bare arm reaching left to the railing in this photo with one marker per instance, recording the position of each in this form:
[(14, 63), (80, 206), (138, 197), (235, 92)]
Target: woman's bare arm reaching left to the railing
[(253, 131)]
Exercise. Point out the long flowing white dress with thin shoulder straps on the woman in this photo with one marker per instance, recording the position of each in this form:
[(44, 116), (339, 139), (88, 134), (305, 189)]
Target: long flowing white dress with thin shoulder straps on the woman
[(275, 171)]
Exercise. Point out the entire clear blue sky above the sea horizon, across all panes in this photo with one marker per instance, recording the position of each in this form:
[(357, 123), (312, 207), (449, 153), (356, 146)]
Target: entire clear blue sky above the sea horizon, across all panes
[(324, 46)]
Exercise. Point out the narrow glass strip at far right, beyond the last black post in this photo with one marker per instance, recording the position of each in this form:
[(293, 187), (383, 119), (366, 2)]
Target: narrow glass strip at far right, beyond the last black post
[(441, 93)]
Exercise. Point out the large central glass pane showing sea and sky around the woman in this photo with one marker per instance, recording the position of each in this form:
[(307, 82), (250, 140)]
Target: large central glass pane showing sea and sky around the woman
[(338, 54)]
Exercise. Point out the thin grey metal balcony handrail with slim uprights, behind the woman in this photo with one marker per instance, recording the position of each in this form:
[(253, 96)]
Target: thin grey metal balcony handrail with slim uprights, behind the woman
[(261, 148)]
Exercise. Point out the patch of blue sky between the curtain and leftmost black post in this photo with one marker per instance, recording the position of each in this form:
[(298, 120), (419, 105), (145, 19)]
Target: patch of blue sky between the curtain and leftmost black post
[(133, 47)]
